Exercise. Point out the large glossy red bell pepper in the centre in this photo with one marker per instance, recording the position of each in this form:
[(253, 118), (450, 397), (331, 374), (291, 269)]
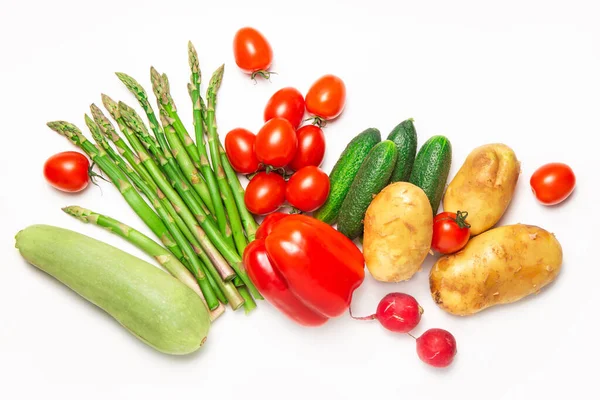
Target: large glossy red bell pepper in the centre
[(304, 267)]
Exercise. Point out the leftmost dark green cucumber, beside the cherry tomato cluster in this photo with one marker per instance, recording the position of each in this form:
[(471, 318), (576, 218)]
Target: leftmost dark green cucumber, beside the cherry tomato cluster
[(343, 173)]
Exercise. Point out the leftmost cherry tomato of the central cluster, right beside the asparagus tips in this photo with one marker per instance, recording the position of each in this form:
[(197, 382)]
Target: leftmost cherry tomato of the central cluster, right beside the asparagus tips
[(239, 146)]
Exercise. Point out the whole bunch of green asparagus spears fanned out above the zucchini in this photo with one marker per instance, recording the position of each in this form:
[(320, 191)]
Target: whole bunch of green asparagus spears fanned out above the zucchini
[(195, 202)]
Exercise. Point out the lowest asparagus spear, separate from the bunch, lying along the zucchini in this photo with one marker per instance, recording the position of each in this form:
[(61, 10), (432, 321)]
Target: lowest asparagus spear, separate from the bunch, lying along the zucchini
[(144, 243)]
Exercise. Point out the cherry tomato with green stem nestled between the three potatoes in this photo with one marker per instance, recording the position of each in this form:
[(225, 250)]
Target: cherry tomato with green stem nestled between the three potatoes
[(450, 232)]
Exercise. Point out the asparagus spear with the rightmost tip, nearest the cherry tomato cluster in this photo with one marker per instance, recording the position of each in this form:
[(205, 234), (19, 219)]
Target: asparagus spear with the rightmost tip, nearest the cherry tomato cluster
[(213, 142)]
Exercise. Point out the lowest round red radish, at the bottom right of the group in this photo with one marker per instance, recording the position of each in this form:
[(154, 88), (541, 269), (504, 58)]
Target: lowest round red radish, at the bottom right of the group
[(436, 347)]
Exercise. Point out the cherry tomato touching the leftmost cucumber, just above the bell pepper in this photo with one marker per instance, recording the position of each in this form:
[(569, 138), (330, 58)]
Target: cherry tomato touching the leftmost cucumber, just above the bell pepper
[(307, 189)]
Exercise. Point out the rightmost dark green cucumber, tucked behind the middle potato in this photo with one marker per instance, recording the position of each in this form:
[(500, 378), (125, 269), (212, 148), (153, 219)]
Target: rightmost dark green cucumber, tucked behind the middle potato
[(431, 168)]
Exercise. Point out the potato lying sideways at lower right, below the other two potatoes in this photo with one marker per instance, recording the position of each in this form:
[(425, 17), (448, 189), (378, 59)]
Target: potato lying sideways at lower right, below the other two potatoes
[(500, 266)]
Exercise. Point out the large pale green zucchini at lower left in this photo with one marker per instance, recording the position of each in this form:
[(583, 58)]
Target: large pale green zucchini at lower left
[(155, 307)]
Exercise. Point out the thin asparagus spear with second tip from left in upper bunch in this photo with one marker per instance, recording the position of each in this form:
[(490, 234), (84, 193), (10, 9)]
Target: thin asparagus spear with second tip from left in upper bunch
[(190, 256)]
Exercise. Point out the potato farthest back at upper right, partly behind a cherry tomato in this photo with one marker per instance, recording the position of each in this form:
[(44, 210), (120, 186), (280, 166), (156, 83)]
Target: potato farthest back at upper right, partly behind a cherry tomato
[(484, 186)]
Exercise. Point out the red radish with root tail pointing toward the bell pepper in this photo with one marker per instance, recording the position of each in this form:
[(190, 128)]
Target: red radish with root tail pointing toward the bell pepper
[(397, 312)]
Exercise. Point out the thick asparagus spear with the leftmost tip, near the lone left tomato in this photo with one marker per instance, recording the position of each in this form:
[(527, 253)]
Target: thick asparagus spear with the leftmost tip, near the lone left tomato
[(132, 197)]
